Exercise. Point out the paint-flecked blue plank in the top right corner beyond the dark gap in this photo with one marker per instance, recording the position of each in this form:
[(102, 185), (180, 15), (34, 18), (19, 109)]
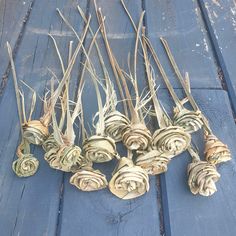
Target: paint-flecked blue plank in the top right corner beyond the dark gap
[(220, 18)]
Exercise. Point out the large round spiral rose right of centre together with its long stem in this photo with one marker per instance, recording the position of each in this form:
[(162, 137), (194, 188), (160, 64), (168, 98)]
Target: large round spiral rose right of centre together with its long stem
[(171, 140)]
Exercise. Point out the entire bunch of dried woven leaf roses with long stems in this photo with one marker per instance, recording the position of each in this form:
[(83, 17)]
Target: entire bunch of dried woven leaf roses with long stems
[(147, 153)]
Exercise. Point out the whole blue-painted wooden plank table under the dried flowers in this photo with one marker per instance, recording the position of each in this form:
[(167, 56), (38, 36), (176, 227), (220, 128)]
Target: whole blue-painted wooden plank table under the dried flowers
[(203, 39)]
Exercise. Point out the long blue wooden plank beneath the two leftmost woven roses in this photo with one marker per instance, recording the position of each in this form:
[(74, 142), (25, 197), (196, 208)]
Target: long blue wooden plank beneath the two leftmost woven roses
[(30, 206)]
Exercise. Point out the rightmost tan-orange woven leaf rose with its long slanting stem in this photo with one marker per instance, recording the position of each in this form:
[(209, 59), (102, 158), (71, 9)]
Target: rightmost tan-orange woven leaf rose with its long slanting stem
[(215, 151)]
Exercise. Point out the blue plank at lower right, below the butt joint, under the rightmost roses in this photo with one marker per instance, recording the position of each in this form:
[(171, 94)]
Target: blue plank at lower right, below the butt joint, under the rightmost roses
[(196, 215)]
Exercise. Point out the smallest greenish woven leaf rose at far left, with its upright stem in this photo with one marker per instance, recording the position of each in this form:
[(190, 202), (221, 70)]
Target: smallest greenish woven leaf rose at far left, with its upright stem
[(26, 165)]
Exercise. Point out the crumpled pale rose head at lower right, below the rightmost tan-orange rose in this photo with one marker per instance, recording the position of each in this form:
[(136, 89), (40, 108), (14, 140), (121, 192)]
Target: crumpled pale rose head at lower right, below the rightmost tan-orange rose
[(202, 178)]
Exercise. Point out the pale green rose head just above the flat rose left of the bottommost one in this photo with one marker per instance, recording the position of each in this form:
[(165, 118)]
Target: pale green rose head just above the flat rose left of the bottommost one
[(99, 148)]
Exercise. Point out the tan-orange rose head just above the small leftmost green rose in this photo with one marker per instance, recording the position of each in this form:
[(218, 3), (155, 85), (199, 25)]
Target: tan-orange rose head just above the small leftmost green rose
[(35, 132)]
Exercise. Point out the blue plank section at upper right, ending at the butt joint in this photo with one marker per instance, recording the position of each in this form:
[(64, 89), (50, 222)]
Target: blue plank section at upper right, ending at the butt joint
[(181, 23)]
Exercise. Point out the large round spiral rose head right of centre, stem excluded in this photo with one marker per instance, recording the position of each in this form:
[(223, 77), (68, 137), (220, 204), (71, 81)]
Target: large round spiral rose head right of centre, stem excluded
[(171, 140)]
